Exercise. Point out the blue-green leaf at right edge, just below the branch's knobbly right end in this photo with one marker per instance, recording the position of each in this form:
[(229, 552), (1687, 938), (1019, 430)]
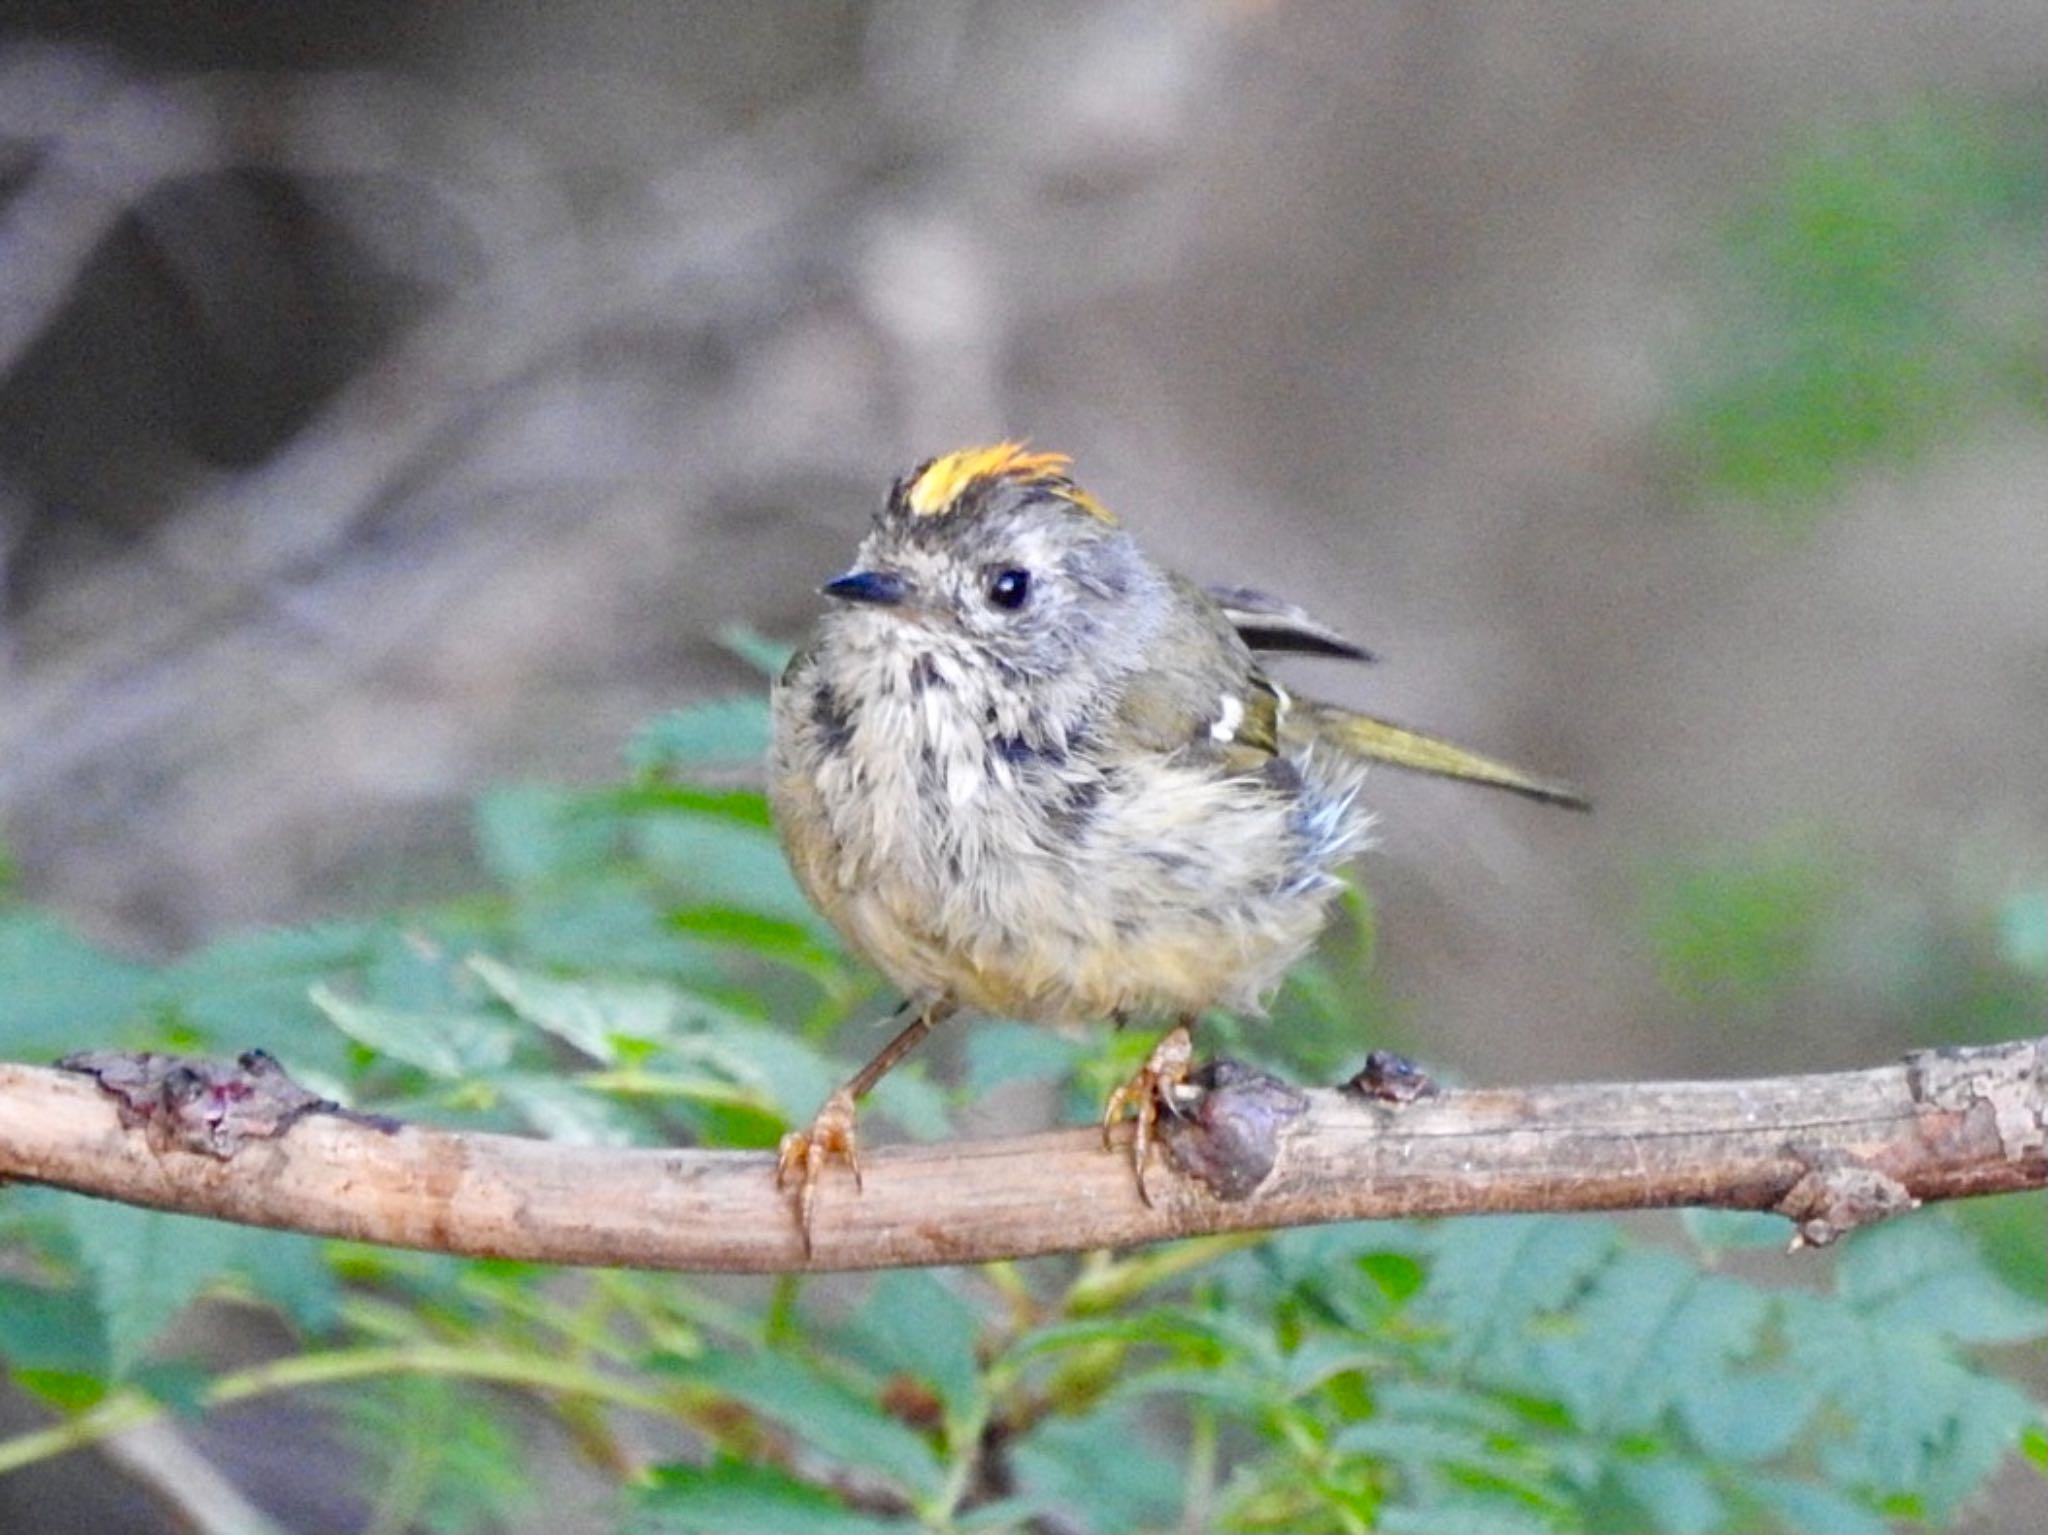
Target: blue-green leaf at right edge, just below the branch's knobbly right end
[(1924, 1274)]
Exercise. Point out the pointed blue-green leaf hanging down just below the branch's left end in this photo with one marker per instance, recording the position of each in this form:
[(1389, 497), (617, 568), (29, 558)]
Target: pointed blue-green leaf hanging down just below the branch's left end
[(146, 1268)]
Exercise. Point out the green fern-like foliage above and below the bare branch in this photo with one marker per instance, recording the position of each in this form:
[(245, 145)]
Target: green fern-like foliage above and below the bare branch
[(642, 971)]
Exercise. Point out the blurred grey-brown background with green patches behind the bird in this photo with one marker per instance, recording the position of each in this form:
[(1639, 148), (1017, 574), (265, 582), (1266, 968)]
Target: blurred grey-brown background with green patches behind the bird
[(400, 400)]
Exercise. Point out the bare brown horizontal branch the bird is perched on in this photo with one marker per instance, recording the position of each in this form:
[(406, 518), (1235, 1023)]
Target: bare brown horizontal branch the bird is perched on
[(1828, 1151)]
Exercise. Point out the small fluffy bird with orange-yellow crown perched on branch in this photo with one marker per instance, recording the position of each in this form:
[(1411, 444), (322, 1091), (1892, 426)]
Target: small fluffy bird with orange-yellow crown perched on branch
[(1027, 771)]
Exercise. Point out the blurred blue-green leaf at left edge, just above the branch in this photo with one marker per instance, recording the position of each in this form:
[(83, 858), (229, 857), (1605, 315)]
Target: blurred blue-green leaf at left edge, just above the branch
[(58, 992)]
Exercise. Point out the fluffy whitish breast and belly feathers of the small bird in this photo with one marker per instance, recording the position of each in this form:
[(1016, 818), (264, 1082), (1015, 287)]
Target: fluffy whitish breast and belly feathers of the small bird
[(1041, 885)]
